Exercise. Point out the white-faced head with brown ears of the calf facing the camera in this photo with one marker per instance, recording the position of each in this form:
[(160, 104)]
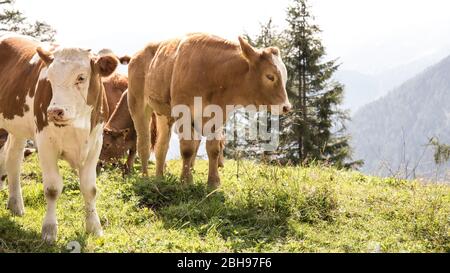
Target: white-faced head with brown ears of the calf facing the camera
[(75, 77)]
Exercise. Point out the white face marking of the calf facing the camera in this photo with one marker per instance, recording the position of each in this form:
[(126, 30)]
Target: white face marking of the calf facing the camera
[(69, 75)]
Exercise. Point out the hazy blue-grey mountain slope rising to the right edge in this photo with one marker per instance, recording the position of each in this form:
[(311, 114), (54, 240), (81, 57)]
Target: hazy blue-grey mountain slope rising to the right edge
[(391, 134)]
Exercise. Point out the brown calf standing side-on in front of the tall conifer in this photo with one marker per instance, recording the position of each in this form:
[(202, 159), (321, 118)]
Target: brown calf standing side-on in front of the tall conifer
[(174, 72)]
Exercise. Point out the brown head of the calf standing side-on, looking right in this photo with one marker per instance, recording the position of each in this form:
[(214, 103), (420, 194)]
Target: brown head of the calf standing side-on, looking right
[(267, 76)]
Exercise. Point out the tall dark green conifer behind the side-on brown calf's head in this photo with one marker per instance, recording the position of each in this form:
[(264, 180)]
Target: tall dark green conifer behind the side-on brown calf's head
[(315, 130)]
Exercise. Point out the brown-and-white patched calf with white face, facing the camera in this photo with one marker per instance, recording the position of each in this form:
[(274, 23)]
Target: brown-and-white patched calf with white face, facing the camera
[(55, 97)]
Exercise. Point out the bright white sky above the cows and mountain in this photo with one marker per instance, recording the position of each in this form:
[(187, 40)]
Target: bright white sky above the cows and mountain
[(368, 35)]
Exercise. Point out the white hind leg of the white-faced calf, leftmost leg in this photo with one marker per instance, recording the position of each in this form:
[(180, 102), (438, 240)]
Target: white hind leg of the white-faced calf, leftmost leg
[(13, 161)]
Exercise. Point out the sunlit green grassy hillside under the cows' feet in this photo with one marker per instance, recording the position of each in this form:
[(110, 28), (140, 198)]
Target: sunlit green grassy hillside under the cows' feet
[(266, 209)]
